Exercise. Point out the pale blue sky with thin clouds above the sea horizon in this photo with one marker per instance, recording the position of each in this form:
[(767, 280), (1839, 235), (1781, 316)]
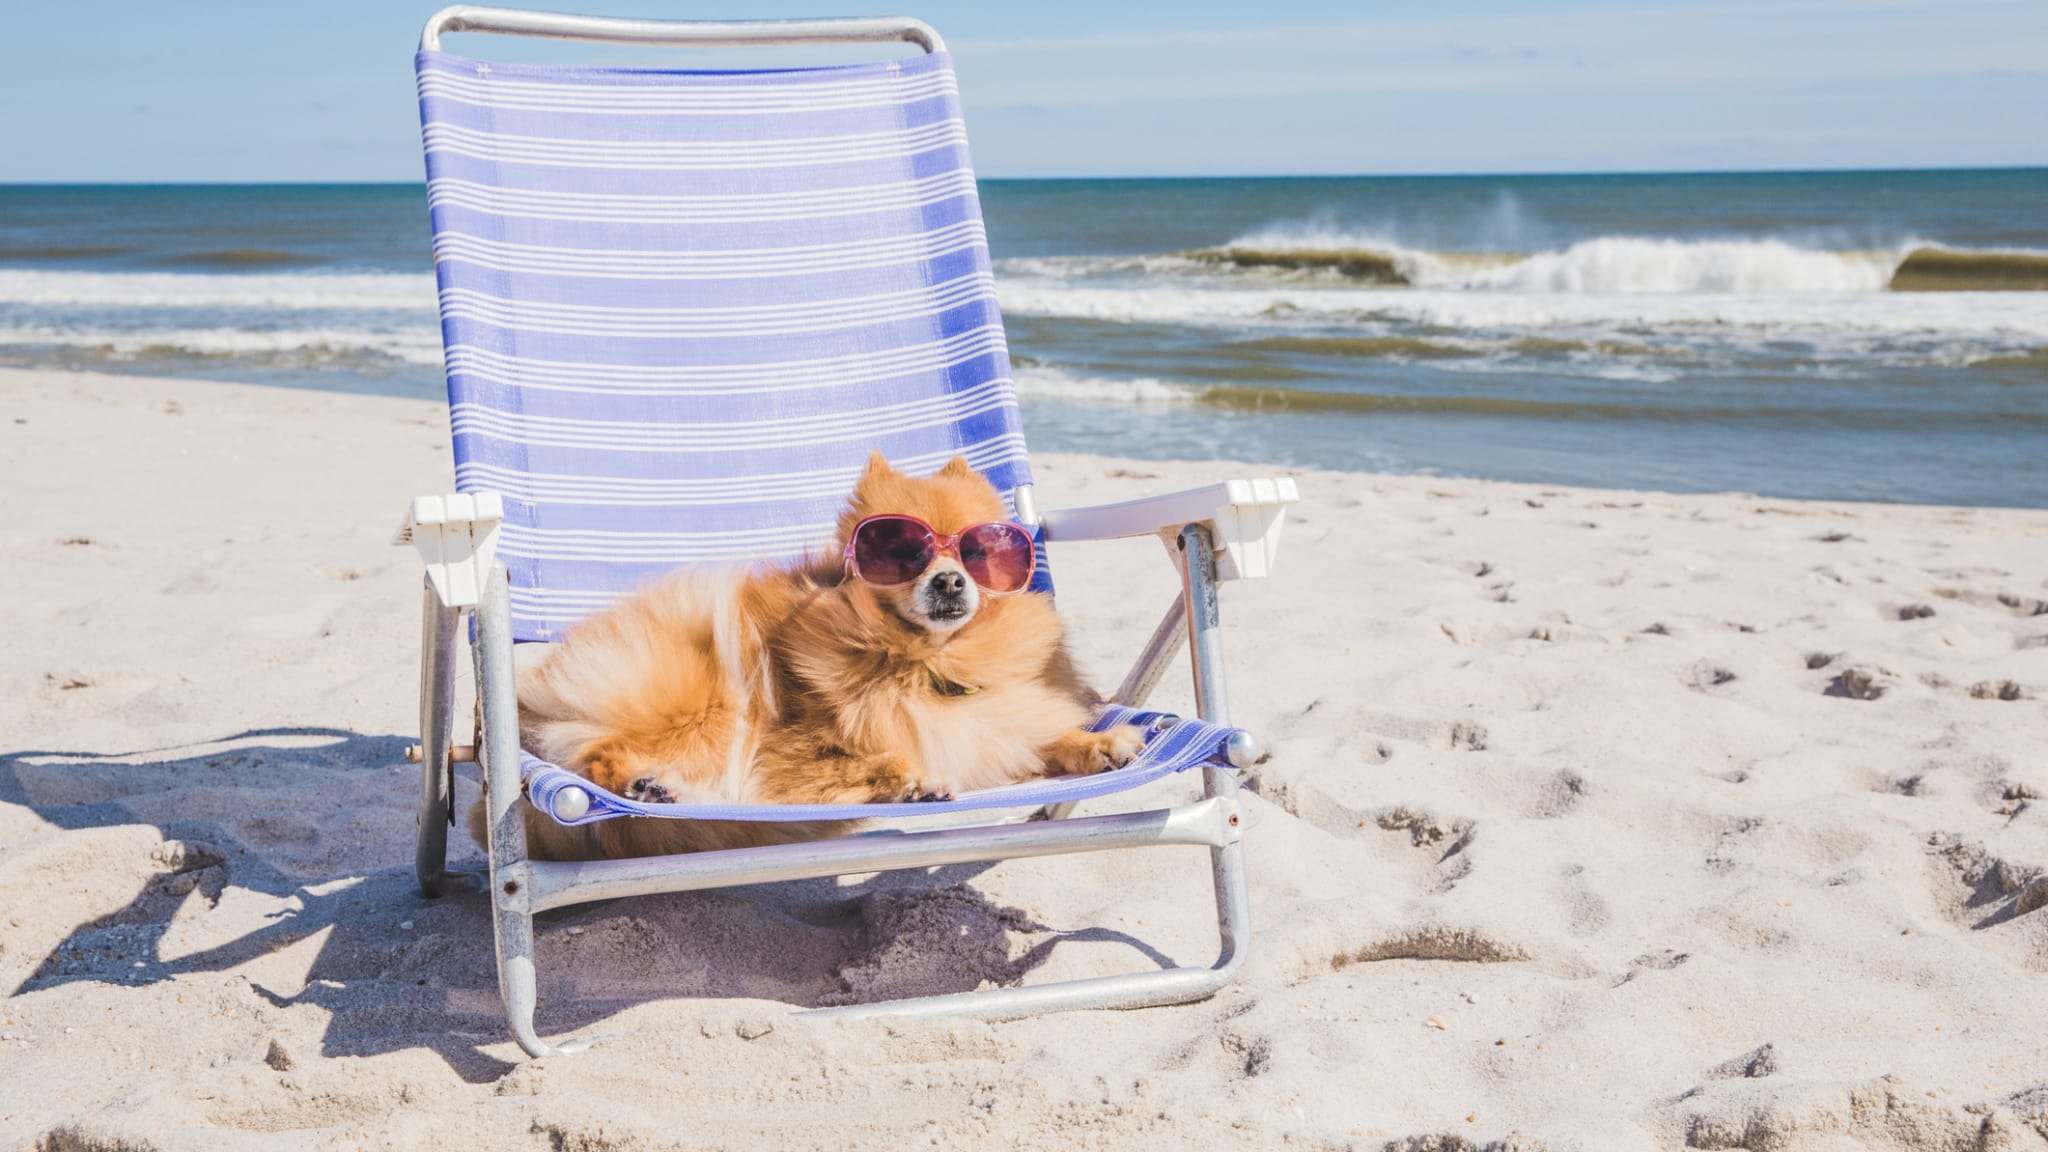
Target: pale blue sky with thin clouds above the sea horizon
[(155, 91)]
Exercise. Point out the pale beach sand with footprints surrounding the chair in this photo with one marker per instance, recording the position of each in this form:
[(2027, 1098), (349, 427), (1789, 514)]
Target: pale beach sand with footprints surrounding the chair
[(1592, 821)]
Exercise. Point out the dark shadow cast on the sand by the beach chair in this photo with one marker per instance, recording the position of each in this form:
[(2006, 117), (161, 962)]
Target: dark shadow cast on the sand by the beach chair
[(396, 971)]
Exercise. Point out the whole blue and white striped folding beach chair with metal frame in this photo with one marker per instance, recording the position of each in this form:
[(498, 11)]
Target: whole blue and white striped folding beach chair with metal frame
[(679, 313)]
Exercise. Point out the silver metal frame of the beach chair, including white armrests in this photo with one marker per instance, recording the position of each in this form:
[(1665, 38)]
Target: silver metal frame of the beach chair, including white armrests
[(1230, 524)]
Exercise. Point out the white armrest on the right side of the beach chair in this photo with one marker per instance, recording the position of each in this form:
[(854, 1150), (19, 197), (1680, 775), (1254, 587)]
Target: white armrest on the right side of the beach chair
[(1242, 516)]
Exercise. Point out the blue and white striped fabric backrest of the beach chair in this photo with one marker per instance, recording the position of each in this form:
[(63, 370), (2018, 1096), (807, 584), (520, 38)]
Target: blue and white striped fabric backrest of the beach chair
[(681, 308)]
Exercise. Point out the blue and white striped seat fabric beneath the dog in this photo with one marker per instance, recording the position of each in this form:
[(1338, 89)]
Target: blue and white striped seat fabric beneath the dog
[(1175, 747)]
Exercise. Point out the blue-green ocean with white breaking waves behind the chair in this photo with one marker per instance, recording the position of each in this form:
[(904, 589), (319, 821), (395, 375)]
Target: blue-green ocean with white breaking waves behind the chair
[(1830, 335)]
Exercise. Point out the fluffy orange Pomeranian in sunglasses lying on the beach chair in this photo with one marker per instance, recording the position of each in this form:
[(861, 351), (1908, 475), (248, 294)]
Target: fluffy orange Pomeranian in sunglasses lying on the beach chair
[(906, 671)]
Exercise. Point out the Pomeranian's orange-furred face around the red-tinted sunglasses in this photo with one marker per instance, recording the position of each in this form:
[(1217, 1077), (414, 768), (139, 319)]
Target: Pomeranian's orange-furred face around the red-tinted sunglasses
[(943, 600)]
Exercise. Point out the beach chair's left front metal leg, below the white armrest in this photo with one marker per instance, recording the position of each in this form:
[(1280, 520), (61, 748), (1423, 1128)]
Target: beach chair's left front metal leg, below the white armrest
[(505, 819)]
